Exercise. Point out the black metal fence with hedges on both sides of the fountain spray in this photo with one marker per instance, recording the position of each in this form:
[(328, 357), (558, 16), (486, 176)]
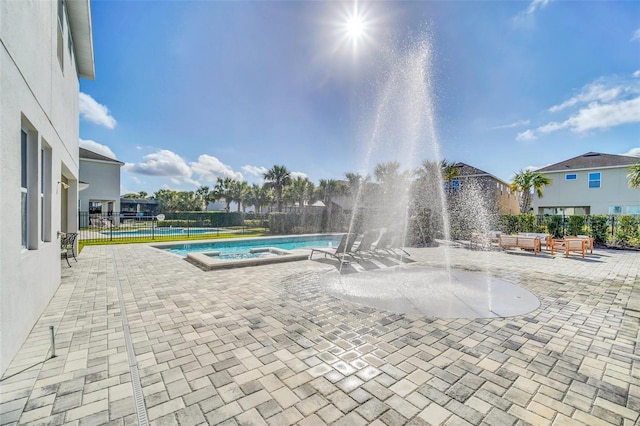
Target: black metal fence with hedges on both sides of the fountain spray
[(127, 227)]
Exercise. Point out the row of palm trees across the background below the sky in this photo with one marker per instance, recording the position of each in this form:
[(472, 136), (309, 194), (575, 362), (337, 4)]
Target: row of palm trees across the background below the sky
[(388, 183)]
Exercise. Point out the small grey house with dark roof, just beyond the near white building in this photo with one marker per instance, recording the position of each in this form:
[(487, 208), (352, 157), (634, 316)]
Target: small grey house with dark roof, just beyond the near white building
[(102, 196)]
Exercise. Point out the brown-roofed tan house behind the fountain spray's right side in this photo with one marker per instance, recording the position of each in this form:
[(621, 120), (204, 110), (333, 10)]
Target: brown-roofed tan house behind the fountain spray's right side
[(496, 191)]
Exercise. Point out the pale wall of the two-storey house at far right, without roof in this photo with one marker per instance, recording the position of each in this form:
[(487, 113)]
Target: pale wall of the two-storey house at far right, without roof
[(614, 191)]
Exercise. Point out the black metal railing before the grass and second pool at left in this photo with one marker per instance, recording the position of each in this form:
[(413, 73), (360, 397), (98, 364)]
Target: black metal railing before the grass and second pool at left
[(125, 227)]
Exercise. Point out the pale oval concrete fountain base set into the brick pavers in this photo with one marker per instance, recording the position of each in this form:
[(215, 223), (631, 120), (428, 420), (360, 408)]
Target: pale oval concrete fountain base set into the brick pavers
[(432, 292)]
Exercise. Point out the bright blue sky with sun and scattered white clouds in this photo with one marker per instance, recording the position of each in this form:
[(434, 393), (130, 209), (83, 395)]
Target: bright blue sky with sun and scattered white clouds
[(189, 91)]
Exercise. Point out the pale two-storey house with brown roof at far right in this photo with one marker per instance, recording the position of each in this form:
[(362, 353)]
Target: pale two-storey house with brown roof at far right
[(592, 183)]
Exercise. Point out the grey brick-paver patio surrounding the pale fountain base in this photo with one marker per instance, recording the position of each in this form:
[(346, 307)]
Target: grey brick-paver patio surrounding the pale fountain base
[(143, 337)]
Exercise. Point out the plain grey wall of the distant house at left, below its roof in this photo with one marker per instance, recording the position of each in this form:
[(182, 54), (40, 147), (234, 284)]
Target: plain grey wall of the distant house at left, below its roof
[(104, 183)]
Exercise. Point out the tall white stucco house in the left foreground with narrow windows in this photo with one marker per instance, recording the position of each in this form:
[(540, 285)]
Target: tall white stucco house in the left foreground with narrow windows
[(45, 47)]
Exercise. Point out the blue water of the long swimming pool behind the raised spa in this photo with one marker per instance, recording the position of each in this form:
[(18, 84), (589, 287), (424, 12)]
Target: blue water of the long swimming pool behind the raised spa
[(243, 246)]
